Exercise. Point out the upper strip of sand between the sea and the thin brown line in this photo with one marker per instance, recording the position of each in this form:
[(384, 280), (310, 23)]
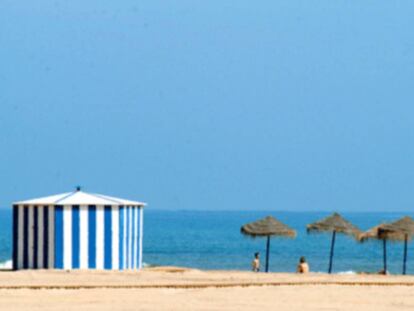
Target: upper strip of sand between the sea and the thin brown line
[(185, 278)]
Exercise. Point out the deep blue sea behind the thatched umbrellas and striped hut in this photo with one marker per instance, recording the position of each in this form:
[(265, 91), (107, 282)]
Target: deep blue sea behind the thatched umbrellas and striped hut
[(212, 240)]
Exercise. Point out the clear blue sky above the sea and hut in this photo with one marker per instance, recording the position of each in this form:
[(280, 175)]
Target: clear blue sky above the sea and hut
[(234, 105)]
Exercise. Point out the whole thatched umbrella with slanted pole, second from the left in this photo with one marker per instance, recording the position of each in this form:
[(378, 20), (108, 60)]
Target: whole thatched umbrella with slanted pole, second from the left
[(335, 224)]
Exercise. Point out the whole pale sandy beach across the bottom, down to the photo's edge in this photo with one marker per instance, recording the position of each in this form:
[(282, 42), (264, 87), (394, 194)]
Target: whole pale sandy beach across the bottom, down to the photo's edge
[(185, 289)]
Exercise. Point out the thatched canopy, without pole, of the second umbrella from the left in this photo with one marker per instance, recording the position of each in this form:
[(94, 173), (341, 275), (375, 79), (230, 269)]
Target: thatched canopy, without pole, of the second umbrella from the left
[(334, 222)]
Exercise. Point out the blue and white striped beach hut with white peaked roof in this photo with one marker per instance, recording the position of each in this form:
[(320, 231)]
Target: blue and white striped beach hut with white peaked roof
[(77, 230)]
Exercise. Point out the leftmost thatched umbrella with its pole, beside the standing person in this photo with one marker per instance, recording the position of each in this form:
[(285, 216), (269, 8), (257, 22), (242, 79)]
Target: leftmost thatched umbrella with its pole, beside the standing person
[(267, 227)]
